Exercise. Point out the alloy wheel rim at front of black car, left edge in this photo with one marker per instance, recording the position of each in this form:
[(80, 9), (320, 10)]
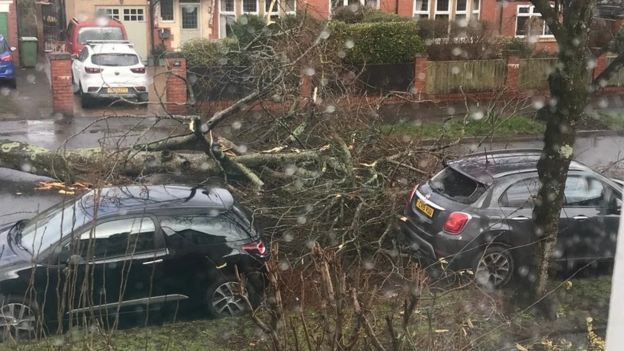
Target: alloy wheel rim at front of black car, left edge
[(17, 321)]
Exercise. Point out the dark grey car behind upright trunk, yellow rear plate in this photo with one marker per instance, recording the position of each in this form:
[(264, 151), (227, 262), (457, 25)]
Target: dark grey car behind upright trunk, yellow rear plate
[(477, 214)]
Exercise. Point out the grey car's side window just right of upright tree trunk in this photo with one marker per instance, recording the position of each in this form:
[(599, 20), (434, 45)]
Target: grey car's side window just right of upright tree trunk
[(584, 192)]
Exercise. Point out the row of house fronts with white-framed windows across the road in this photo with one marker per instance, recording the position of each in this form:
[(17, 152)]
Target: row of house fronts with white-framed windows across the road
[(177, 21)]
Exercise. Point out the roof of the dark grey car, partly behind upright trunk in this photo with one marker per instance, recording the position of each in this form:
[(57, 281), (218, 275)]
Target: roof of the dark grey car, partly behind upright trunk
[(485, 167)]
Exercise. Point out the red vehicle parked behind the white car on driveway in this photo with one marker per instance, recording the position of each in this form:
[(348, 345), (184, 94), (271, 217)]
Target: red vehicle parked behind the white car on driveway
[(78, 33)]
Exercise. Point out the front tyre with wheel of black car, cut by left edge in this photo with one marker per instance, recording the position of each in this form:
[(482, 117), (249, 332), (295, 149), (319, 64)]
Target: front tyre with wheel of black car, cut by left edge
[(18, 318)]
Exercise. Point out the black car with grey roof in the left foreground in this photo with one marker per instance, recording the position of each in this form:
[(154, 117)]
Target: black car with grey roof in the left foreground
[(129, 250)]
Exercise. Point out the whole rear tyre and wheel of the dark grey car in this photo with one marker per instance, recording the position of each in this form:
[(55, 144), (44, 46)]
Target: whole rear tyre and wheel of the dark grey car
[(495, 267)]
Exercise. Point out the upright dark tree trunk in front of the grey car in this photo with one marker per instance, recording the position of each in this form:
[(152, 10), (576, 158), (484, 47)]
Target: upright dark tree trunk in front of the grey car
[(569, 87)]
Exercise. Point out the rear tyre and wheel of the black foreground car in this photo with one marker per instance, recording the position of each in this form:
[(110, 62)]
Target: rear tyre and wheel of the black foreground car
[(223, 297)]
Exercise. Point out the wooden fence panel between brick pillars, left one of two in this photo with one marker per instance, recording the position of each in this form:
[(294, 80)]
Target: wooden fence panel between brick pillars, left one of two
[(444, 77)]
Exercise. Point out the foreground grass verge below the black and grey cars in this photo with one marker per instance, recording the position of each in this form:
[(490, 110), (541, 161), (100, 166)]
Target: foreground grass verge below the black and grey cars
[(452, 320)]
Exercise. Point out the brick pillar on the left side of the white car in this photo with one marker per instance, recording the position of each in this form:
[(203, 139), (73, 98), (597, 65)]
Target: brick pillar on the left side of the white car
[(61, 81)]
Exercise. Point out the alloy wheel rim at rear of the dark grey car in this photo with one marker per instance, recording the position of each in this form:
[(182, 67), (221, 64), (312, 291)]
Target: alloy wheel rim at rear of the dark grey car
[(494, 268)]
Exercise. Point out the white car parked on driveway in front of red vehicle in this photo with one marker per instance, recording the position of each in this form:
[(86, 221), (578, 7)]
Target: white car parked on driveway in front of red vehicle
[(109, 69)]
